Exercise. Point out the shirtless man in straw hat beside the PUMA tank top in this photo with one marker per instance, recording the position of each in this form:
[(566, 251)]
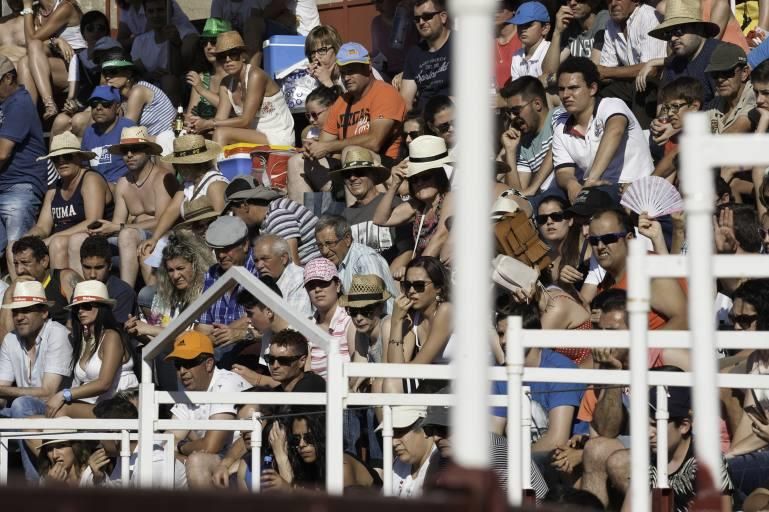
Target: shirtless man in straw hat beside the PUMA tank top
[(139, 195)]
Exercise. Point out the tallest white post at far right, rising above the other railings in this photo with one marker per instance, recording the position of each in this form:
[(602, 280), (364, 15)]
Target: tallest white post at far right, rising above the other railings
[(699, 201)]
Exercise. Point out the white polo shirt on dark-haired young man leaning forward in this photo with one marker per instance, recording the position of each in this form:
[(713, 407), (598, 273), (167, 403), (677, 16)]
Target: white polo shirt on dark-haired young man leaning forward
[(632, 159)]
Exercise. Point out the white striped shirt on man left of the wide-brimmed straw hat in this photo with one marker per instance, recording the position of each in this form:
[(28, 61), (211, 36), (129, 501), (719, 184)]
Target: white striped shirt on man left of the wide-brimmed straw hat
[(637, 47)]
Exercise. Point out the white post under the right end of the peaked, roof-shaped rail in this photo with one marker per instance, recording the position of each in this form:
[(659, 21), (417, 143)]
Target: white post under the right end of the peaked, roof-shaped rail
[(335, 388)]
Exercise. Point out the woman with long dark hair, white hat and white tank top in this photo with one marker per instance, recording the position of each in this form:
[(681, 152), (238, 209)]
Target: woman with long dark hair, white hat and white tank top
[(102, 358)]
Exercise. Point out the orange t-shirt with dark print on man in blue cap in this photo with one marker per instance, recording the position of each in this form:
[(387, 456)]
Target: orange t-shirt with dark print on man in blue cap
[(381, 101)]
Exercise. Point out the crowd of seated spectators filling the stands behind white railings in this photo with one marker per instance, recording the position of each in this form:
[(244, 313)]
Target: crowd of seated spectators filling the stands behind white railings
[(113, 220)]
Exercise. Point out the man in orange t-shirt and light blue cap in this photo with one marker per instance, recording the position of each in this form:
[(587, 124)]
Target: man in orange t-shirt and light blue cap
[(368, 115)]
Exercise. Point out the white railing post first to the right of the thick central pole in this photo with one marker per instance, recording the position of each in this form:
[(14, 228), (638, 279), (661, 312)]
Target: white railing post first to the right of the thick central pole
[(514, 356)]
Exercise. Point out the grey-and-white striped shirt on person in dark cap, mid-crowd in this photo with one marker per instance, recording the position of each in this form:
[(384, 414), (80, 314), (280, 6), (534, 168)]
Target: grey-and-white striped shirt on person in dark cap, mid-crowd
[(289, 219)]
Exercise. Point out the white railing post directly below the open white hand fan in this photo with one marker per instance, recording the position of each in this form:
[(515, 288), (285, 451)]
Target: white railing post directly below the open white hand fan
[(638, 309)]
